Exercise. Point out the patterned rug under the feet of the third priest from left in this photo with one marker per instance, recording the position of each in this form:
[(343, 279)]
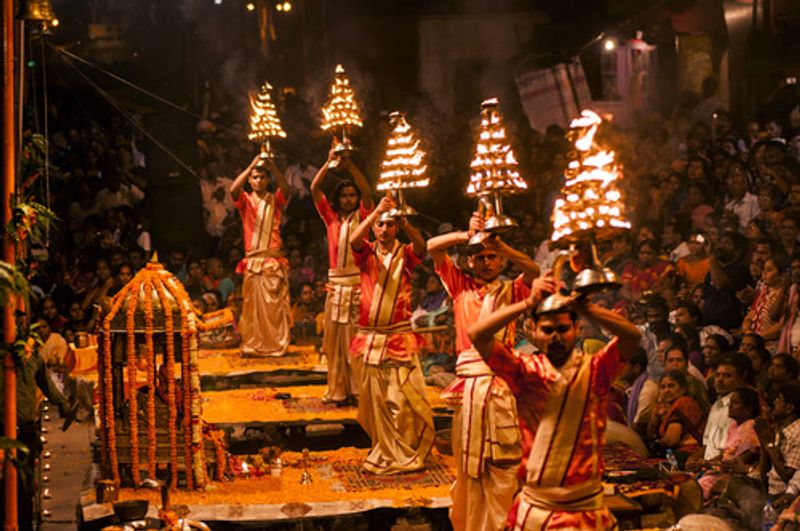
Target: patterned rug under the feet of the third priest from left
[(349, 473)]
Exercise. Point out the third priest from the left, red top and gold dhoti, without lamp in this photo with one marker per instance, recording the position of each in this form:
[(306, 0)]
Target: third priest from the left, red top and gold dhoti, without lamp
[(393, 405)]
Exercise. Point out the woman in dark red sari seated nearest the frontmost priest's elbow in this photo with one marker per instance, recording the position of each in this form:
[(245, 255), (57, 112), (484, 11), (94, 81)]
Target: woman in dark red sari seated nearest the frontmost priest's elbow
[(678, 422)]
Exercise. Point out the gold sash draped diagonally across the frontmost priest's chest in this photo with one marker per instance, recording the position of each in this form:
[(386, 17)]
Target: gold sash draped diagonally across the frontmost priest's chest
[(558, 430)]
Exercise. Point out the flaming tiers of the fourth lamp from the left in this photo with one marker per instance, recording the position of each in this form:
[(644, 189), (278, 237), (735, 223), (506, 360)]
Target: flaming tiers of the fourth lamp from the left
[(494, 167)]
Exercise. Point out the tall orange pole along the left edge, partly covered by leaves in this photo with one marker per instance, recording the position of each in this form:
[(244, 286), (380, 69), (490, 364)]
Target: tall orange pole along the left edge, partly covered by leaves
[(9, 329)]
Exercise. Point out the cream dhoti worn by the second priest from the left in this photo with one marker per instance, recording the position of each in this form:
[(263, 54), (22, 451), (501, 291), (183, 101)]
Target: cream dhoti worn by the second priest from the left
[(341, 315)]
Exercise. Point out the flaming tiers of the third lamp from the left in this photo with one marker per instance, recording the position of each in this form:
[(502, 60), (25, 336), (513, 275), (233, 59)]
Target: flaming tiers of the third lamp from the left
[(403, 165)]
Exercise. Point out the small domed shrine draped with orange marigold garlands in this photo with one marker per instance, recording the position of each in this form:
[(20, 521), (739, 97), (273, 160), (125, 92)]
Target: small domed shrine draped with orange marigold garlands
[(152, 322)]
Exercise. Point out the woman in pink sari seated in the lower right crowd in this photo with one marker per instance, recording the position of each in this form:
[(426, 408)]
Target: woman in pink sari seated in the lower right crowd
[(741, 451)]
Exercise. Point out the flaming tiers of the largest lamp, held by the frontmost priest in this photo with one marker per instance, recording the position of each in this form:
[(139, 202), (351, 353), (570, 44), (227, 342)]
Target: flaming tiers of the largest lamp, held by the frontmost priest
[(590, 204)]
